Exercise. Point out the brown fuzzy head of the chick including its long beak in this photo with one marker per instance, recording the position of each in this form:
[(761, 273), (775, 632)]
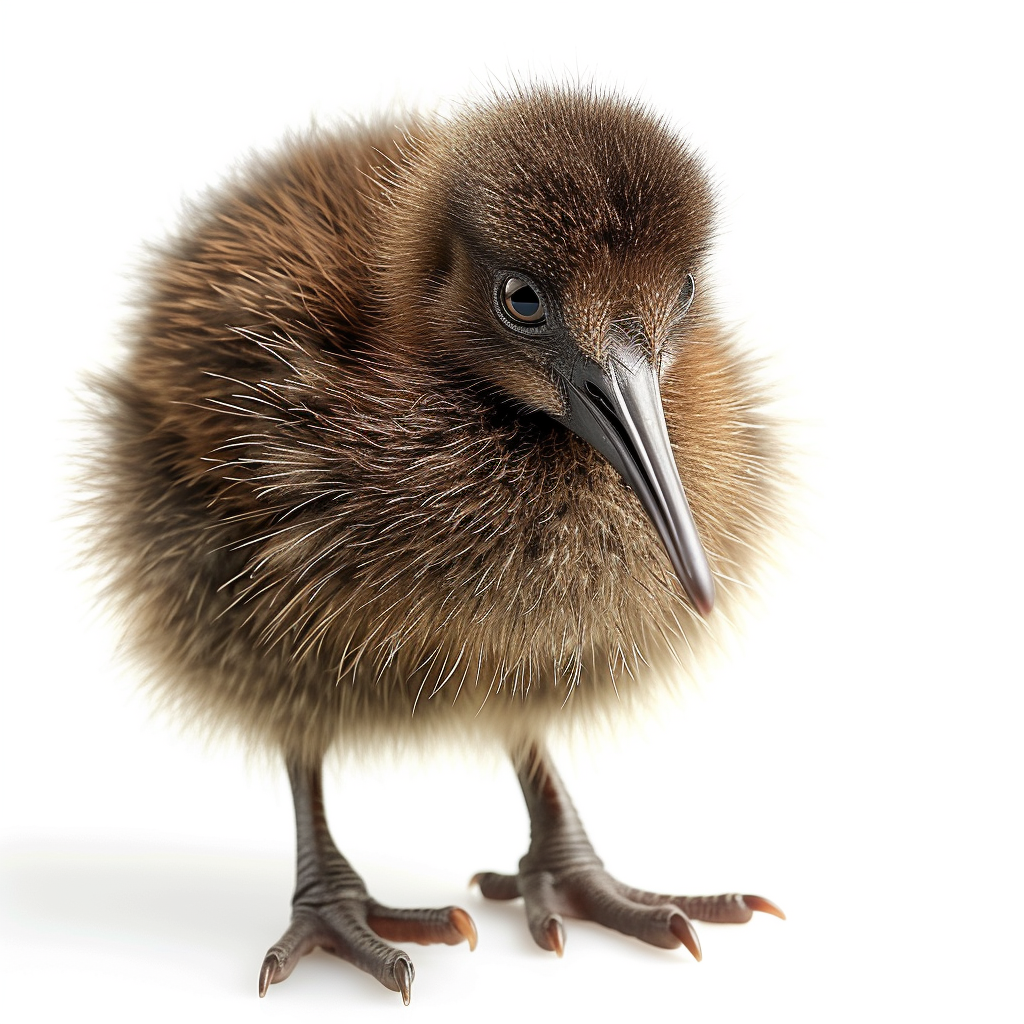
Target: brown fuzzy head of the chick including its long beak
[(547, 246)]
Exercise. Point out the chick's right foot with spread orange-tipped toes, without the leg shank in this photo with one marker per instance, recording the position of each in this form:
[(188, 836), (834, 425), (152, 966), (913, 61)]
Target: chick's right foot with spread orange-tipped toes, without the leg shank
[(588, 892)]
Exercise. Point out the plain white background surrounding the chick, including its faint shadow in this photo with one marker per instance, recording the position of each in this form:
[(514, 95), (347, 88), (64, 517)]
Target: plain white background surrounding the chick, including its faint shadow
[(858, 757)]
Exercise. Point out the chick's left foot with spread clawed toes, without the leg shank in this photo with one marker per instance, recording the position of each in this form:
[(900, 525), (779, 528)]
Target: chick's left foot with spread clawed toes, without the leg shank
[(352, 925)]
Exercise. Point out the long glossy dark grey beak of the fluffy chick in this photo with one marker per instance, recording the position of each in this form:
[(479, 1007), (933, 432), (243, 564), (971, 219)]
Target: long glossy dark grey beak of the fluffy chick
[(617, 407)]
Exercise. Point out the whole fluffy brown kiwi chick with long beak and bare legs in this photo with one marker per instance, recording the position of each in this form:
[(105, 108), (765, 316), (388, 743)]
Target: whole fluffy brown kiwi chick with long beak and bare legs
[(430, 432)]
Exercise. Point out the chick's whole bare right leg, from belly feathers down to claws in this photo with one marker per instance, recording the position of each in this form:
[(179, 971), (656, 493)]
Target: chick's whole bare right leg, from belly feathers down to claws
[(562, 875)]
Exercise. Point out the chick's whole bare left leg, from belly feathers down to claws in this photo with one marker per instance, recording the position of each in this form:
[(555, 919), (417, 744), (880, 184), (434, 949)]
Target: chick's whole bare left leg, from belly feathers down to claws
[(332, 909)]
